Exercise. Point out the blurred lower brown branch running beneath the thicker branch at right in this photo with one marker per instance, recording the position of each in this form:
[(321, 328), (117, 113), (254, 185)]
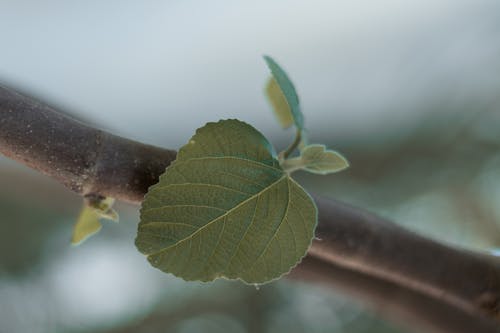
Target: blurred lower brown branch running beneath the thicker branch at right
[(411, 309)]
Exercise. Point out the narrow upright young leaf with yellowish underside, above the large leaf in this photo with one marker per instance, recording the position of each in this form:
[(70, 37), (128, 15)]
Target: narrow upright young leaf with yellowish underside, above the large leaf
[(289, 94)]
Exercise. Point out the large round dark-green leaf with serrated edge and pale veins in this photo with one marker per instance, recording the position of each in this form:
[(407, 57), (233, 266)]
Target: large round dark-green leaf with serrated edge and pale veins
[(225, 208)]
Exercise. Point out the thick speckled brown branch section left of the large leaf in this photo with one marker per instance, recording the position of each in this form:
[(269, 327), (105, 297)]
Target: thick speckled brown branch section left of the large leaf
[(85, 159)]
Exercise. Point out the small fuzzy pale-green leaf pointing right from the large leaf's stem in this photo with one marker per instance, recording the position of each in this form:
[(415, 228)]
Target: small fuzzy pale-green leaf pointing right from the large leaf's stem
[(317, 159)]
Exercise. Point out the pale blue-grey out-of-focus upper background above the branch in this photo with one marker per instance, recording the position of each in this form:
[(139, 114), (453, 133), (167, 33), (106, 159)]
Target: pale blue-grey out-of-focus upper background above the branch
[(156, 71)]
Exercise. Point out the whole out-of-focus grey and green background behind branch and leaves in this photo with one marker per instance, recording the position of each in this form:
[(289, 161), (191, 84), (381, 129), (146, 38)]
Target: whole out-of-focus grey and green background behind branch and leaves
[(408, 91)]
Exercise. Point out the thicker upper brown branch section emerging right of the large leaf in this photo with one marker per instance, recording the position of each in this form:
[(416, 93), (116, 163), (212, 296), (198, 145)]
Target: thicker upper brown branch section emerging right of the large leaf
[(358, 240)]
